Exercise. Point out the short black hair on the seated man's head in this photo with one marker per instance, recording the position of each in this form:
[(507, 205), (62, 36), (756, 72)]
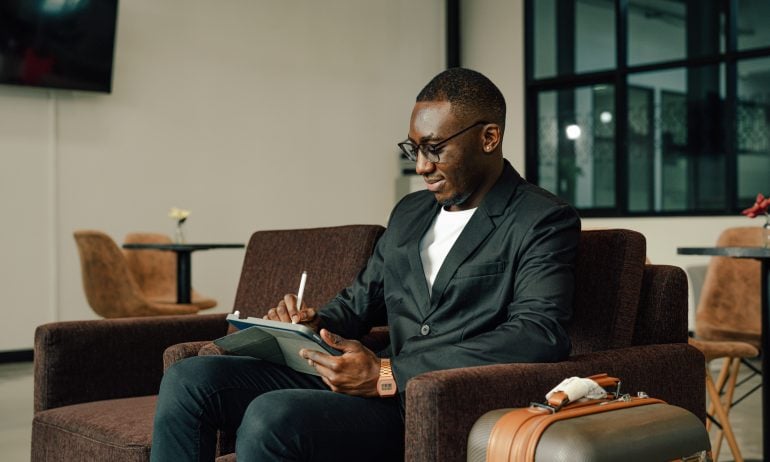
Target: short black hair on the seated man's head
[(471, 94)]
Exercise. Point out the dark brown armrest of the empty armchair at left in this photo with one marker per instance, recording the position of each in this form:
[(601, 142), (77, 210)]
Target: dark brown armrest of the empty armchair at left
[(80, 361)]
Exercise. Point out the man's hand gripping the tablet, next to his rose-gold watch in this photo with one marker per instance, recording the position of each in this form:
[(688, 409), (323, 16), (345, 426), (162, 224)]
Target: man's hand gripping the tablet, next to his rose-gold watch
[(355, 372)]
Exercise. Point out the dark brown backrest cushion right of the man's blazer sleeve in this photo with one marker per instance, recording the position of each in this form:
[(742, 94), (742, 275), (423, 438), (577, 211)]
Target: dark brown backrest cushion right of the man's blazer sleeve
[(609, 268)]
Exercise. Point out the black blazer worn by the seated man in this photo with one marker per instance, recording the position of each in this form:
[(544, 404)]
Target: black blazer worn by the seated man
[(503, 294)]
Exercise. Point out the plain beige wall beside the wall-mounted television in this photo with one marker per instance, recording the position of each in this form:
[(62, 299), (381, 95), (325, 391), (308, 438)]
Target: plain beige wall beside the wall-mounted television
[(252, 114)]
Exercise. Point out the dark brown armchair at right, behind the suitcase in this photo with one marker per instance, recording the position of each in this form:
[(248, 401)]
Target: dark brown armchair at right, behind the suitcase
[(630, 321)]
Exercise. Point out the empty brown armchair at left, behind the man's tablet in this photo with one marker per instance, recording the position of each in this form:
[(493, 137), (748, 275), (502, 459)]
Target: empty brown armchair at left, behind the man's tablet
[(96, 381)]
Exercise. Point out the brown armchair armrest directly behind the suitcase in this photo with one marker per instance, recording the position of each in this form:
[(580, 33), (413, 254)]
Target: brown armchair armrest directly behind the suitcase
[(441, 406)]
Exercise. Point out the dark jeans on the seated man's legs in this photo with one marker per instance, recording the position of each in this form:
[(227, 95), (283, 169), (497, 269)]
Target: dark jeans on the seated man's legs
[(279, 414)]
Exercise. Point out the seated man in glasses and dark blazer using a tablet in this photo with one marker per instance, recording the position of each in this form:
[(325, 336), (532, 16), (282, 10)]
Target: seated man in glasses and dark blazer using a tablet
[(475, 270)]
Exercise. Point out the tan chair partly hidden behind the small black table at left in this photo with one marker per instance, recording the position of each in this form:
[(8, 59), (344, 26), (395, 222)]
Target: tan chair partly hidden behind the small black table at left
[(155, 271)]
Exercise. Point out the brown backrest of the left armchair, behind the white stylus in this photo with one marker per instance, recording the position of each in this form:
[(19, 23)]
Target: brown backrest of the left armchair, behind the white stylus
[(275, 260)]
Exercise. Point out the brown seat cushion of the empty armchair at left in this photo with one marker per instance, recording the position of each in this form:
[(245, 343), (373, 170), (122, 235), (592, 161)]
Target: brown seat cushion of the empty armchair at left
[(118, 429)]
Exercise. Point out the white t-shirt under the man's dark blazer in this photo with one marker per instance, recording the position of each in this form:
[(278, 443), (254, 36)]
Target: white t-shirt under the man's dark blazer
[(439, 239)]
